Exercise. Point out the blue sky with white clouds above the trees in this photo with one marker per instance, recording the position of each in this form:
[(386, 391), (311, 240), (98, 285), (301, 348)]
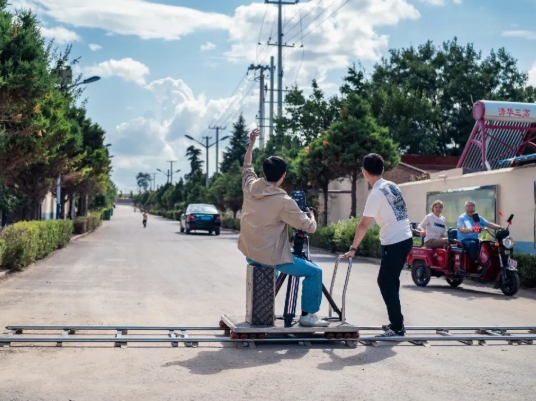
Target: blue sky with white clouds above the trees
[(171, 68)]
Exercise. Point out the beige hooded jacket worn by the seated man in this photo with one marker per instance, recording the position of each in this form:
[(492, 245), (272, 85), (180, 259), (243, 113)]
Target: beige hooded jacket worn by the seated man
[(265, 214)]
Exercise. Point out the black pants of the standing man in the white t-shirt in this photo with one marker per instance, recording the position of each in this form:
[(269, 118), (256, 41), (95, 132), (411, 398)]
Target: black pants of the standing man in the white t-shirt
[(393, 260)]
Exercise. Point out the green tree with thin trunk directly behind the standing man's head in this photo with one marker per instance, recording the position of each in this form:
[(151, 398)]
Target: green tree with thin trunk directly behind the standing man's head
[(355, 135)]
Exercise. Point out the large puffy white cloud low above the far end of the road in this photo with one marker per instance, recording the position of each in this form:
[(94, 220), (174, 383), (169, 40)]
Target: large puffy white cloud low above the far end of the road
[(144, 143)]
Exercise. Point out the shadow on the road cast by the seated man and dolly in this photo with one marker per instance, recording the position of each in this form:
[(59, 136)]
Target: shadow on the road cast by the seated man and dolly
[(214, 362)]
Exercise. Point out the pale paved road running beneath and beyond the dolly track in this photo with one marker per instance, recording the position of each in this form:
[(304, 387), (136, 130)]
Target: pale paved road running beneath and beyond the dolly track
[(124, 274)]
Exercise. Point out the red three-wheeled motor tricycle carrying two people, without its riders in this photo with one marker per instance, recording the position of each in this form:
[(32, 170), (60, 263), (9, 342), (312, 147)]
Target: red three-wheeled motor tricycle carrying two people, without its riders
[(454, 262)]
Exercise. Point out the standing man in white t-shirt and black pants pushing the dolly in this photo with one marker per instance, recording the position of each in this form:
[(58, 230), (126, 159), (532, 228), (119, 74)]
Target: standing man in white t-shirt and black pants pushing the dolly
[(387, 207)]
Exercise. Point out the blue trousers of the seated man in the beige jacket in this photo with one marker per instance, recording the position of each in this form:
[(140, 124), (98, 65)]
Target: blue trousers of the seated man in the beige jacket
[(312, 283)]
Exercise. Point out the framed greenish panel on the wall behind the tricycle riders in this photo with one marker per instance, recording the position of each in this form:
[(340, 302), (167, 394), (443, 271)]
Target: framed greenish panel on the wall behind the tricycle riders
[(454, 200)]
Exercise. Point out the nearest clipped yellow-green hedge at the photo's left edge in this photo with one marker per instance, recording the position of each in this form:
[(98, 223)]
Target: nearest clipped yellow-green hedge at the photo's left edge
[(28, 241)]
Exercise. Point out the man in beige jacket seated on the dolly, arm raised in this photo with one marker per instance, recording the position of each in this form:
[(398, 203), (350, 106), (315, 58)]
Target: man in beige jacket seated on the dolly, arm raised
[(266, 212)]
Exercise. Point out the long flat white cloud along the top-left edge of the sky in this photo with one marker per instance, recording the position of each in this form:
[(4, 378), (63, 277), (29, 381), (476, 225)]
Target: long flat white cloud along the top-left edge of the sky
[(148, 20)]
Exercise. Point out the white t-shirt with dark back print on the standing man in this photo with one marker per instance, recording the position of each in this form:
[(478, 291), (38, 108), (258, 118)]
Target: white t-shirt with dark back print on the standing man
[(387, 206)]
